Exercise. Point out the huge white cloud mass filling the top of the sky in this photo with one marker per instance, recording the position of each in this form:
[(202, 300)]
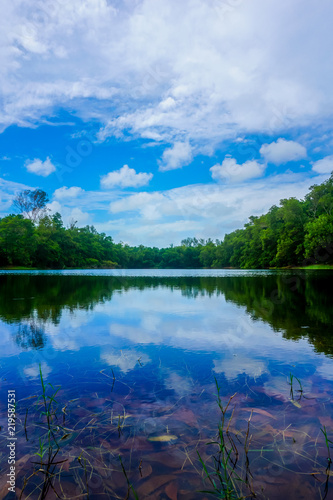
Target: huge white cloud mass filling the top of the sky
[(232, 73)]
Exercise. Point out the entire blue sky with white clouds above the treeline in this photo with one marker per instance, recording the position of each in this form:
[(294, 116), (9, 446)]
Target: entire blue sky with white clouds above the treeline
[(155, 120)]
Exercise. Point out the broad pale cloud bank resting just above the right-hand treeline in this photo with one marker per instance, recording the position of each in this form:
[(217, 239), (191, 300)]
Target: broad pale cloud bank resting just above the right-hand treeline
[(201, 210)]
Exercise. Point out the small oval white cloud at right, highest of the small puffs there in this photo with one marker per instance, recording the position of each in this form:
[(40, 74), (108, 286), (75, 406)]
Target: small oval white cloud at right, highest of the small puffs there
[(282, 151)]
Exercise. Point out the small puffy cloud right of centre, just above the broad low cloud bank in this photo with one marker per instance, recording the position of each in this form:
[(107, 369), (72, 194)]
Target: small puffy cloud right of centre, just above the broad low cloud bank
[(231, 171)]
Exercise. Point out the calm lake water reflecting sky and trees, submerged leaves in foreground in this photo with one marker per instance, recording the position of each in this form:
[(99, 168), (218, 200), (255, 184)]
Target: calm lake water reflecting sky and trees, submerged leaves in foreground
[(136, 355)]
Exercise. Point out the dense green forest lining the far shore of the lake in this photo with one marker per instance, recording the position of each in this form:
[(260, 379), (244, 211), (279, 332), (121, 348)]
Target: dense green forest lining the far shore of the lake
[(295, 233)]
